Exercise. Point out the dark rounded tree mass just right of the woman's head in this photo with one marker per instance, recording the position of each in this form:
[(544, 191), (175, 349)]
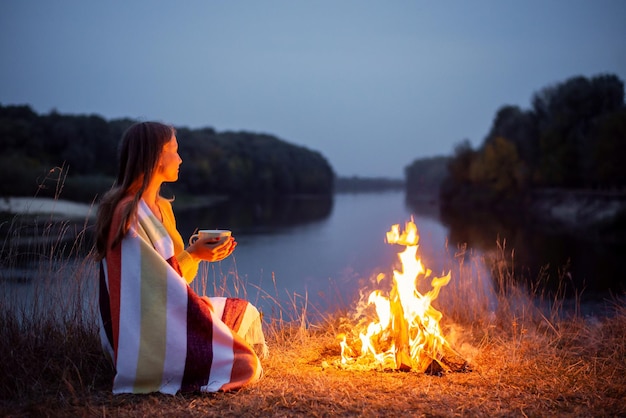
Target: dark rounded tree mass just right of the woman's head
[(248, 164)]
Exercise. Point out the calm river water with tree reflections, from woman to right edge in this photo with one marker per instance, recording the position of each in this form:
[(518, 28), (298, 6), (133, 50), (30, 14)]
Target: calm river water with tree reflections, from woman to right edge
[(326, 250)]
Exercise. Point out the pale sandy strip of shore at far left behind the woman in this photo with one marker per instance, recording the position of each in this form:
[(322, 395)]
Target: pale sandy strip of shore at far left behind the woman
[(47, 206)]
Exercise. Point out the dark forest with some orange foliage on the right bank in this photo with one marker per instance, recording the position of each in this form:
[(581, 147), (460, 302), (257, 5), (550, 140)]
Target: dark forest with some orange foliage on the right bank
[(573, 137)]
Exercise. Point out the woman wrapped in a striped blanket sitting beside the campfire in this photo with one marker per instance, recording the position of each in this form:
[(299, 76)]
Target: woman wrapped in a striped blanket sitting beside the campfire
[(162, 336)]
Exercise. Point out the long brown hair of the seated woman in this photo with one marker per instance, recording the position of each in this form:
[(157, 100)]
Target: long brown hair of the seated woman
[(139, 151)]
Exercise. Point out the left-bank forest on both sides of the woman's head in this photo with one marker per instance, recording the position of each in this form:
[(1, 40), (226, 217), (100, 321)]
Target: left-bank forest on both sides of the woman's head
[(44, 153)]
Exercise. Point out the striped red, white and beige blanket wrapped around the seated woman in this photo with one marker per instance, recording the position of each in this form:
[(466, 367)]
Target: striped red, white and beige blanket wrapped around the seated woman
[(161, 335)]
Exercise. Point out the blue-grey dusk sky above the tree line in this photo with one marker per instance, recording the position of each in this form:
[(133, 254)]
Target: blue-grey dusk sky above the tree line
[(372, 85)]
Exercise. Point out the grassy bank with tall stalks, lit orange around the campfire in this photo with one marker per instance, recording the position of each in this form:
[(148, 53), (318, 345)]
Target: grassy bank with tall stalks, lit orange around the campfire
[(527, 359)]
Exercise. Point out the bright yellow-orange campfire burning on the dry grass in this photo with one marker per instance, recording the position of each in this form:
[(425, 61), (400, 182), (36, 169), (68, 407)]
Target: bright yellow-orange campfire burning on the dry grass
[(406, 334)]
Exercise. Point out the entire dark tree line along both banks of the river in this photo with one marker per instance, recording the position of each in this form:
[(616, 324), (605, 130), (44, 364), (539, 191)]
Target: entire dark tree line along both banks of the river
[(572, 137)]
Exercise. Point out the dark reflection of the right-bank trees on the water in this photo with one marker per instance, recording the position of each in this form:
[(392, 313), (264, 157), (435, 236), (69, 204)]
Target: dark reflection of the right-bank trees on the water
[(586, 264)]
